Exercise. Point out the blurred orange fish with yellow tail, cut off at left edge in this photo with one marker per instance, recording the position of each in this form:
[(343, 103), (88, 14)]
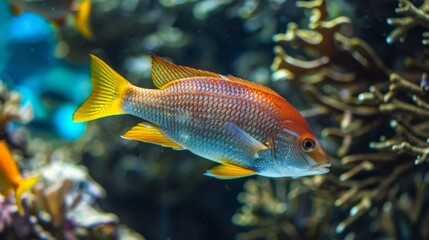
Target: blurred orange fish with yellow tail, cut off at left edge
[(10, 179)]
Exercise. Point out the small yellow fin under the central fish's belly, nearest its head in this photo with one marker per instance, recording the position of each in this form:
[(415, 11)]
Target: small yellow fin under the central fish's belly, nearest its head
[(229, 172)]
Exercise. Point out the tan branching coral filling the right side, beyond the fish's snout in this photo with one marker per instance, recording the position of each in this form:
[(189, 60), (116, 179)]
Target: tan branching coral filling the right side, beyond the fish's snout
[(380, 119)]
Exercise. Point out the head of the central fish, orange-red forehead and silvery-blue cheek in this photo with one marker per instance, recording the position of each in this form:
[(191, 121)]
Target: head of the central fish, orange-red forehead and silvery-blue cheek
[(298, 152)]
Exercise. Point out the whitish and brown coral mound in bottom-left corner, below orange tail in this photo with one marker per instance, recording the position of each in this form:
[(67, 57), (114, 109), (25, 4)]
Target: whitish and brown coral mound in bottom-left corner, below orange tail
[(61, 206)]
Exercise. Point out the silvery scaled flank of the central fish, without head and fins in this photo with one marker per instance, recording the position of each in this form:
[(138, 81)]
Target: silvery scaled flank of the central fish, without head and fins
[(193, 103)]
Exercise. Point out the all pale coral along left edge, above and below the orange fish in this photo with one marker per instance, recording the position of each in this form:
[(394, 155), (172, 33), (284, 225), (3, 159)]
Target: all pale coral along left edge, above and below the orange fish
[(63, 204)]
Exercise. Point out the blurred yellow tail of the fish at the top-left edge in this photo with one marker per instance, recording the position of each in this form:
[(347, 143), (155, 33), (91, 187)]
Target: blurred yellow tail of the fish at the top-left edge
[(82, 19)]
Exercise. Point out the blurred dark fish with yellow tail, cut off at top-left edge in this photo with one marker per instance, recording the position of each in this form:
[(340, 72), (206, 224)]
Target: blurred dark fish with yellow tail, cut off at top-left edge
[(57, 11)]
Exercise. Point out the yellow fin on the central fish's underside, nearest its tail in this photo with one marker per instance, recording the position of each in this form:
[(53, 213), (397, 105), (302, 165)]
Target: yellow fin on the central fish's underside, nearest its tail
[(147, 132)]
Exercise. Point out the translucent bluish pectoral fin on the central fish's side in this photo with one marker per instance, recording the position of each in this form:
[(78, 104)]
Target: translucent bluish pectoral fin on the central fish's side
[(244, 140)]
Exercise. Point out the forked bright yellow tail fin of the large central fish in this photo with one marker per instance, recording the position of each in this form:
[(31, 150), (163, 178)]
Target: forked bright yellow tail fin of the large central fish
[(107, 94)]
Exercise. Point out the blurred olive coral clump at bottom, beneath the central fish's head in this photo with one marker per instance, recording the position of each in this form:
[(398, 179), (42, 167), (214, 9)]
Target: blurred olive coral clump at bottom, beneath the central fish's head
[(281, 212)]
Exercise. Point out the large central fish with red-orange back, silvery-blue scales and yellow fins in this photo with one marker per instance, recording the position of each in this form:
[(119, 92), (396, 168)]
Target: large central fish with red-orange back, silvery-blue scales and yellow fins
[(246, 127)]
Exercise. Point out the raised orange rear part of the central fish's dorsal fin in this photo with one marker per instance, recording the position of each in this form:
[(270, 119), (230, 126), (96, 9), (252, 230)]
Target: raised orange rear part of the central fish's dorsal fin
[(164, 72)]
